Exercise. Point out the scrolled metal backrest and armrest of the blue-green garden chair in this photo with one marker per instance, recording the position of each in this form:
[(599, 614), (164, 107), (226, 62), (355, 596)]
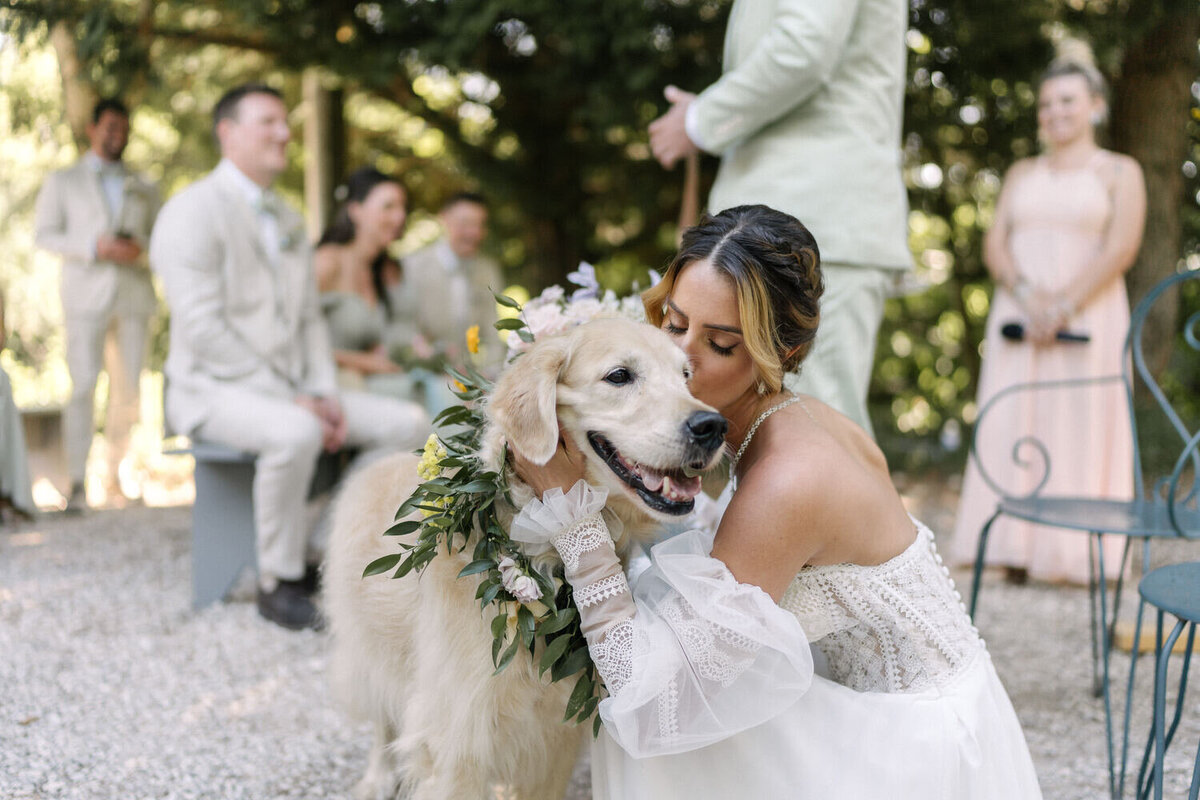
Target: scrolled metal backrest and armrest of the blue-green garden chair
[(1031, 455)]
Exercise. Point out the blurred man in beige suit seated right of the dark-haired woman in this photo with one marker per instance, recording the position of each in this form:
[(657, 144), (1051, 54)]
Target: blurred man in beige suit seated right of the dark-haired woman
[(454, 282)]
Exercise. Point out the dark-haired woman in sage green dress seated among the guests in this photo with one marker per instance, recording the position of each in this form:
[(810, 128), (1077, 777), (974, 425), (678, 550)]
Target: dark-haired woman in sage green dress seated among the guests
[(369, 308)]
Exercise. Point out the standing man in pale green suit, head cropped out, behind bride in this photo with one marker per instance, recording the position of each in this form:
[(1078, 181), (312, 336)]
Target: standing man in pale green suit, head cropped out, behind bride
[(807, 118)]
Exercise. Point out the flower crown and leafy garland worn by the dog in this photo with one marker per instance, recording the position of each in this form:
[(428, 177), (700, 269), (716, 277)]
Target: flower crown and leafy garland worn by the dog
[(459, 494)]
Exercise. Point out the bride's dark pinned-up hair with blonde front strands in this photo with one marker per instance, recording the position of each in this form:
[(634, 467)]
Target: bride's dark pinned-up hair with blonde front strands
[(776, 268)]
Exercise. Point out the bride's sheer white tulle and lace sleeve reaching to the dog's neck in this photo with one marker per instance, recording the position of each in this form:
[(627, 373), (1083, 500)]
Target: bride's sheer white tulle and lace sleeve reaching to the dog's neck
[(693, 657)]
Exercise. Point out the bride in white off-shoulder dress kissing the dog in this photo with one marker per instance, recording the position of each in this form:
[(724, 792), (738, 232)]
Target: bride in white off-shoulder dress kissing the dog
[(707, 660)]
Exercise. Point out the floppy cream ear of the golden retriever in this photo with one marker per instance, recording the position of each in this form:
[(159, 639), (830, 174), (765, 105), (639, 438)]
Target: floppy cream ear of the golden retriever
[(525, 399)]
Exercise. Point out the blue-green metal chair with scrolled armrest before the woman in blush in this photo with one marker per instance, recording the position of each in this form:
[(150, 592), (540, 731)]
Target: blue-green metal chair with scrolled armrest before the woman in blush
[(1157, 512)]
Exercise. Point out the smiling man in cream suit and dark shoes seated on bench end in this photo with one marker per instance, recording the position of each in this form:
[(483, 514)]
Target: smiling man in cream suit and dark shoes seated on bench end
[(250, 363)]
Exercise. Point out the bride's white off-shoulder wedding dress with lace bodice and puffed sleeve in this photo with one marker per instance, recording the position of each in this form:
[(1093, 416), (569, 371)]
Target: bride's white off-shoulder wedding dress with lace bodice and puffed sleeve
[(713, 690)]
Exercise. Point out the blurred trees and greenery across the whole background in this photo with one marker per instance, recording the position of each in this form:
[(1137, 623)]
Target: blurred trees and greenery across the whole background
[(543, 105)]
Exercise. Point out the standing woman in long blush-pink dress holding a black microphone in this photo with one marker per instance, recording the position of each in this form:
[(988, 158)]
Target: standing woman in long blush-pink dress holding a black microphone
[(1069, 225)]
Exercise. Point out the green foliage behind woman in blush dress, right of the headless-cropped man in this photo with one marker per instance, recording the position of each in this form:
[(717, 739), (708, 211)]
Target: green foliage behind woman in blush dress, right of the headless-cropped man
[(970, 113)]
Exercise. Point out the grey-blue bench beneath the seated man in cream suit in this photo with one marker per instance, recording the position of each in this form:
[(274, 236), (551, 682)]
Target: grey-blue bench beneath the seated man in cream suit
[(224, 514)]
